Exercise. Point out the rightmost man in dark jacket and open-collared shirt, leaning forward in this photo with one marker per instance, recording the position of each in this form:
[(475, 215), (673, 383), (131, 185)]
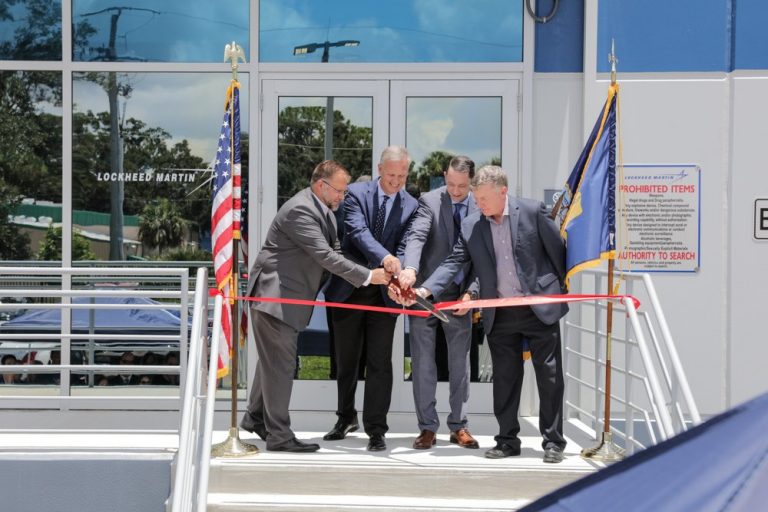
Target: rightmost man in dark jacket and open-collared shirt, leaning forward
[(515, 250)]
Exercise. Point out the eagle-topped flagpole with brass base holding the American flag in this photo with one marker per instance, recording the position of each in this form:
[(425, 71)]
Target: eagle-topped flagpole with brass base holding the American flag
[(233, 446)]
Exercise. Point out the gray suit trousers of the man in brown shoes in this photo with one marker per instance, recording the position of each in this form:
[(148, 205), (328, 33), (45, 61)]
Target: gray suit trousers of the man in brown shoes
[(458, 337)]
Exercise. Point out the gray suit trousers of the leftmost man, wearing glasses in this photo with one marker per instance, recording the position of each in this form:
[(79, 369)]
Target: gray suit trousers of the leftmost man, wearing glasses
[(270, 395)]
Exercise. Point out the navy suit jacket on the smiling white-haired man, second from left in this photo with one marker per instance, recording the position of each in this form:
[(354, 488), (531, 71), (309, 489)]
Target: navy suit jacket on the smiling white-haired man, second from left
[(359, 245)]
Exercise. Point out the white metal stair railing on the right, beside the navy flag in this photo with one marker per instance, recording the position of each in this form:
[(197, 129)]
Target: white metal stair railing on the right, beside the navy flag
[(662, 379)]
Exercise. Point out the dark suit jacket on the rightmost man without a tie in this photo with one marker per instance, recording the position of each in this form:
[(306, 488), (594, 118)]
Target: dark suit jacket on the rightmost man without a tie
[(539, 257)]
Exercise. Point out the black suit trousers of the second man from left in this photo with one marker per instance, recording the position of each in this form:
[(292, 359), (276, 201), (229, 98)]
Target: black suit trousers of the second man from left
[(350, 328)]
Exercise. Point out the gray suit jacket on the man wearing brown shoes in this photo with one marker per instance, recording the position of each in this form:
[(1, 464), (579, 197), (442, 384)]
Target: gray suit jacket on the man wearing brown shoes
[(430, 238)]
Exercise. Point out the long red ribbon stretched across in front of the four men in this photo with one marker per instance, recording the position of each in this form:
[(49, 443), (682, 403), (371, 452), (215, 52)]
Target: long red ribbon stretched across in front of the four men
[(528, 300)]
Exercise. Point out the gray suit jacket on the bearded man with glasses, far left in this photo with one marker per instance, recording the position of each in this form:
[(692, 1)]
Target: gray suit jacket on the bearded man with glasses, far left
[(300, 251)]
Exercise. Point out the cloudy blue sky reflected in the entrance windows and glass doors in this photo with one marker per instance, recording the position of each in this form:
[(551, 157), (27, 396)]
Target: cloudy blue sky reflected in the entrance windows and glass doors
[(189, 105)]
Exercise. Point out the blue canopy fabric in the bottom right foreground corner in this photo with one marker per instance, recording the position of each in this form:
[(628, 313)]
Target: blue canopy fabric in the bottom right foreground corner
[(721, 464)]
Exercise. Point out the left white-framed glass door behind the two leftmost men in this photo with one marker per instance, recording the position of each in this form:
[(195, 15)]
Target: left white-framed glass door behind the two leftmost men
[(303, 124)]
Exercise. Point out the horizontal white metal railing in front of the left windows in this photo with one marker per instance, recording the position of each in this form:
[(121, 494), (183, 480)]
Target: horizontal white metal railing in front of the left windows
[(23, 276)]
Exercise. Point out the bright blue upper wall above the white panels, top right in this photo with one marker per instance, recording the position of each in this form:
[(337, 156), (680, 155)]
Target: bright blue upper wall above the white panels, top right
[(657, 36)]
